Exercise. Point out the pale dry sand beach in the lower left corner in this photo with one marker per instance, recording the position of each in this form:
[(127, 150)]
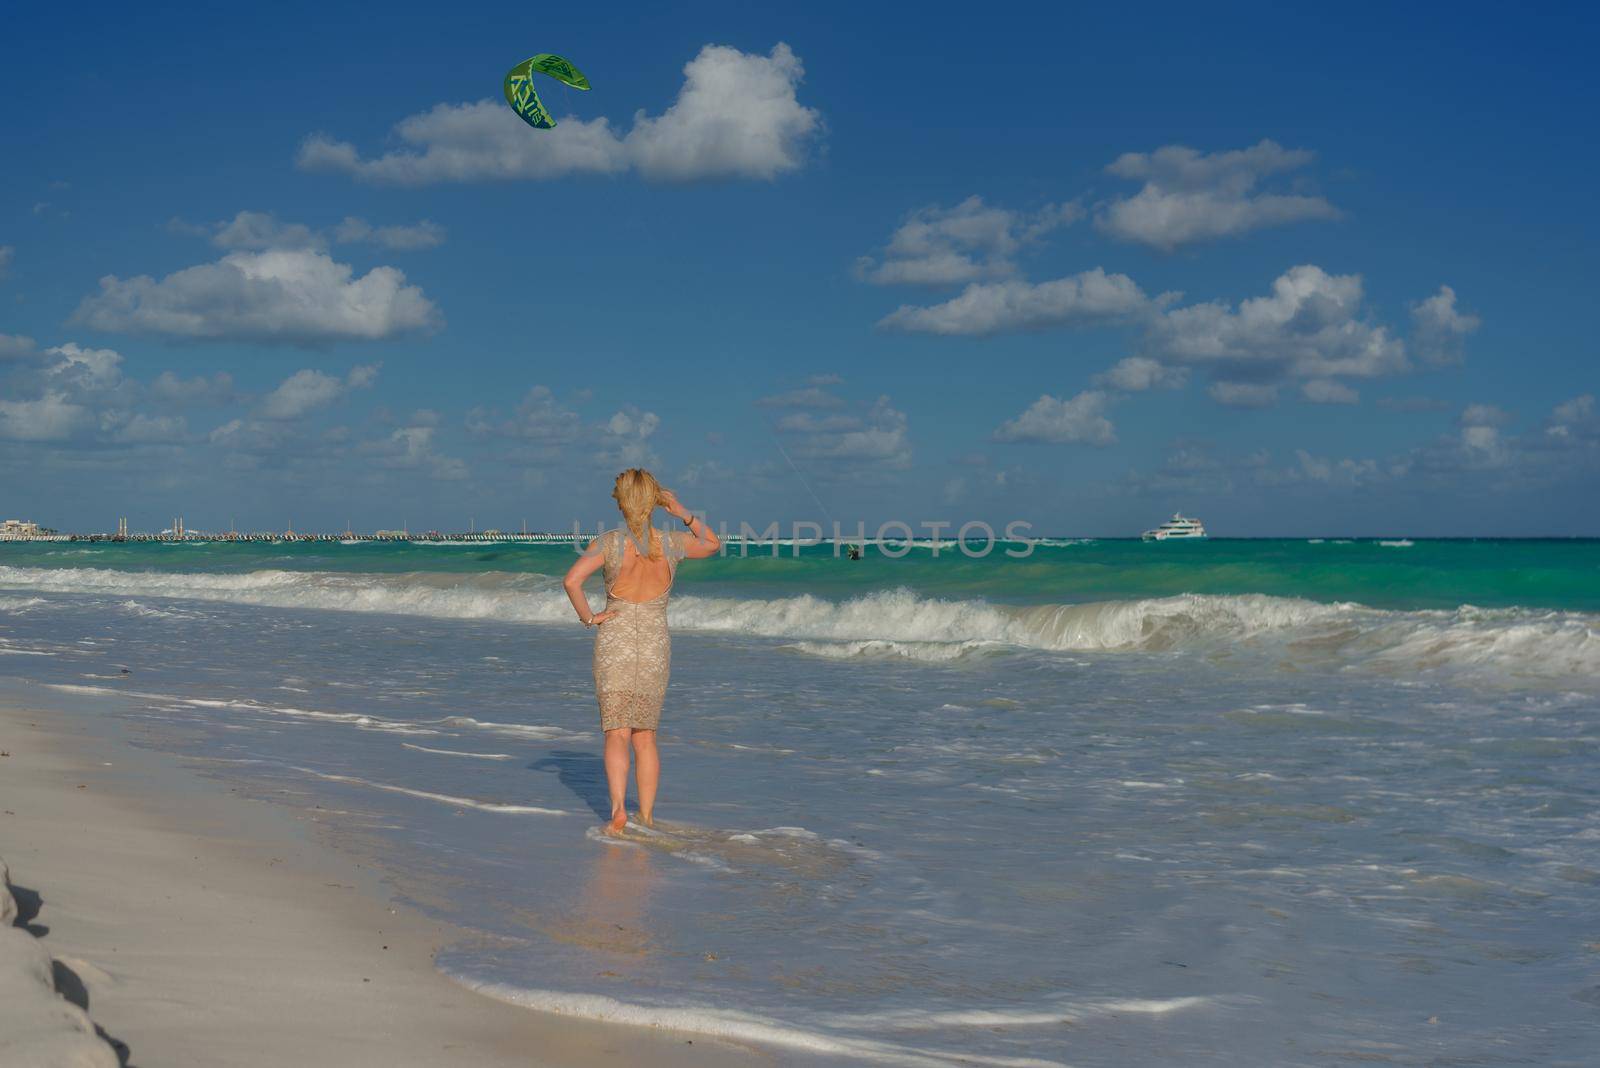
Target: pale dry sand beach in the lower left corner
[(201, 928)]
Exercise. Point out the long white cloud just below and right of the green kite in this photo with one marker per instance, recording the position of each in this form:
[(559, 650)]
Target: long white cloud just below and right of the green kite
[(737, 116)]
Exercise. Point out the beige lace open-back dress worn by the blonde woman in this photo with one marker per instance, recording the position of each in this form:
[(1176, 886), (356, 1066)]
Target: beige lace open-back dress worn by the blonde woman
[(634, 650)]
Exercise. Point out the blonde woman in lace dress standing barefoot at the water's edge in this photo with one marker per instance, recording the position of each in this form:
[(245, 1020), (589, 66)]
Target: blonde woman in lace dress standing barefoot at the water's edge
[(633, 650)]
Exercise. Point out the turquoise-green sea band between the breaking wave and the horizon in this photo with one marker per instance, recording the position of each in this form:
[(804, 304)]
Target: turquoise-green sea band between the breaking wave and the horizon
[(1430, 573)]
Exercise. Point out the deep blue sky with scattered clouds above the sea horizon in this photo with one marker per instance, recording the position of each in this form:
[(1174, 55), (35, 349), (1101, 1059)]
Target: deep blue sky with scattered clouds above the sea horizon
[(1295, 273)]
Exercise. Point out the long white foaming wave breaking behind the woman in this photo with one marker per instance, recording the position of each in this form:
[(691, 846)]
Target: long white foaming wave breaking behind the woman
[(1506, 644)]
